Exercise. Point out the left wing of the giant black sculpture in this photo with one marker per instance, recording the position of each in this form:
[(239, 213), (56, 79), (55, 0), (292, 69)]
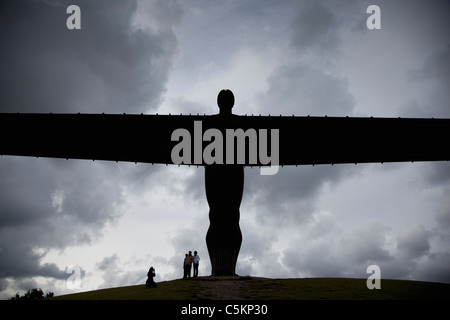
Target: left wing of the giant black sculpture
[(115, 137)]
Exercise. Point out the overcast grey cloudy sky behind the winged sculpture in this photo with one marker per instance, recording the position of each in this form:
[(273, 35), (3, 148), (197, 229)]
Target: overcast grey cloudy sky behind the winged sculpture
[(115, 220)]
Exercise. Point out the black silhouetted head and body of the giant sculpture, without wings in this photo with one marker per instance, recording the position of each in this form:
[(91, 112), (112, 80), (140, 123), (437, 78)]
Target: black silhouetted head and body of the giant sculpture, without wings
[(224, 186)]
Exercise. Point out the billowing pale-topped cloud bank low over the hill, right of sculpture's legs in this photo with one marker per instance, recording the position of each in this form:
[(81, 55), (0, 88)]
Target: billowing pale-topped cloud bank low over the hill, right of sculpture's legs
[(348, 253)]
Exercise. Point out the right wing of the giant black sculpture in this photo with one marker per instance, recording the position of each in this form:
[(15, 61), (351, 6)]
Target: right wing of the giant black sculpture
[(330, 140)]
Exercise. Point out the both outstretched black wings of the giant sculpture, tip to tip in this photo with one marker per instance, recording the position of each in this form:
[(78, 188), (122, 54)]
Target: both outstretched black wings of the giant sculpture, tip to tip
[(147, 138)]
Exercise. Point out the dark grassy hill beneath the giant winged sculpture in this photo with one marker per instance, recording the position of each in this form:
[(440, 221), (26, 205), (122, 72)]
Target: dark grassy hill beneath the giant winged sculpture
[(251, 288)]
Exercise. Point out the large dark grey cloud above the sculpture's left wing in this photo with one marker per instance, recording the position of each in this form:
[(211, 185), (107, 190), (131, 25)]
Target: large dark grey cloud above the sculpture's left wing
[(109, 65)]
